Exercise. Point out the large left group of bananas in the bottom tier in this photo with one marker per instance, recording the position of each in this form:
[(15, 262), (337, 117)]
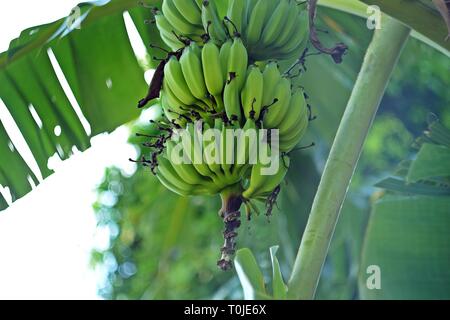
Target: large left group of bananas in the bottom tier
[(207, 159)]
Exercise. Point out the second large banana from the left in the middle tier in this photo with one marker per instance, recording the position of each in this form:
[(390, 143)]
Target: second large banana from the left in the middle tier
[(191, 66)]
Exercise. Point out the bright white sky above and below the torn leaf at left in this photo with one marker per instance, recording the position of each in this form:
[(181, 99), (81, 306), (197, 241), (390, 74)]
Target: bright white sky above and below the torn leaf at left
[(46, 238)]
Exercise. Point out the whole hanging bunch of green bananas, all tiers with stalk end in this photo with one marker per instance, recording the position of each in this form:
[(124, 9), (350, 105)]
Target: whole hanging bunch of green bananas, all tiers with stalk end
[(231, 115)]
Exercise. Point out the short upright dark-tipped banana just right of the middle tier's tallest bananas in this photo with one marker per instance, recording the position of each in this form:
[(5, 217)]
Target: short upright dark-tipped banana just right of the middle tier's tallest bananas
[(252, 93)]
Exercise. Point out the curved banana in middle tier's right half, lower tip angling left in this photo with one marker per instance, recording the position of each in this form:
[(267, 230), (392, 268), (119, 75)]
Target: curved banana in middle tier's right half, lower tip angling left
[(280, 108)]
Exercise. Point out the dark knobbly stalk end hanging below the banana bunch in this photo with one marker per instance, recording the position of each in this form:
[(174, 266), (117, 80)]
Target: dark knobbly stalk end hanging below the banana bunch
[(230, 212)]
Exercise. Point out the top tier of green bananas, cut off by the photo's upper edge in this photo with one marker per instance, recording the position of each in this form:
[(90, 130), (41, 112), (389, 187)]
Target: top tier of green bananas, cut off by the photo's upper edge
[(270, 29)]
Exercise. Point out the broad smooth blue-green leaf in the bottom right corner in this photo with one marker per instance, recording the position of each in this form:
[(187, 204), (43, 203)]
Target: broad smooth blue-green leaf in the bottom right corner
[(408, 239)]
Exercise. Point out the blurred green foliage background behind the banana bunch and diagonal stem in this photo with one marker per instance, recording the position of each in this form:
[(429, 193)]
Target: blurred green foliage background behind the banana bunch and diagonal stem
[(163, 246)]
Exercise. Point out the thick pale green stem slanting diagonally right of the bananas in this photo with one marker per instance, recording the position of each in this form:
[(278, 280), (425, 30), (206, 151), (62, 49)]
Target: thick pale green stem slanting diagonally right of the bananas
[(381, 58)]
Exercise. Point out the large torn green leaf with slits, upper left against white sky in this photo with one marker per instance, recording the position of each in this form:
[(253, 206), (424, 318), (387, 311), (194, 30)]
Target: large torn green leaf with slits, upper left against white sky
[(101, 70)]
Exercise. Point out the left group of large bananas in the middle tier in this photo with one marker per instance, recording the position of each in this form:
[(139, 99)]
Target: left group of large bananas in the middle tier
[(206, 79)]
